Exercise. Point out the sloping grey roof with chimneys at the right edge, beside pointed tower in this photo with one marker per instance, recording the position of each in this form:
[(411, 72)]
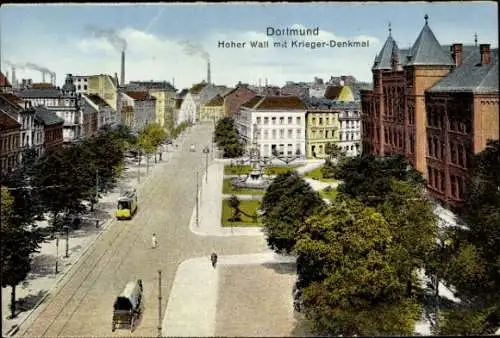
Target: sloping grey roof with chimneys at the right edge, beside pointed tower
[(471, 75)]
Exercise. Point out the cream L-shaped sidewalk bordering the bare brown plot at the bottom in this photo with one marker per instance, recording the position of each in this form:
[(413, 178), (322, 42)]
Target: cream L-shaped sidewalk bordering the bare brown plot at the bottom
[(195, 290)]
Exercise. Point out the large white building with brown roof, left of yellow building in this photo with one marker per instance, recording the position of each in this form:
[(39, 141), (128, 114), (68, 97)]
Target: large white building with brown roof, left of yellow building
[(277, 122)]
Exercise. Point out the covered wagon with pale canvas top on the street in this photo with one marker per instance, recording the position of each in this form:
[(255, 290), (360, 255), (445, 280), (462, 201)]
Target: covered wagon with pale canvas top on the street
[(127, 307)]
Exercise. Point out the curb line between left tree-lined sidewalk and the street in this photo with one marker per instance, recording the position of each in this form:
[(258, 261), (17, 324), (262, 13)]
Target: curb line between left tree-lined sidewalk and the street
[(105, 227)]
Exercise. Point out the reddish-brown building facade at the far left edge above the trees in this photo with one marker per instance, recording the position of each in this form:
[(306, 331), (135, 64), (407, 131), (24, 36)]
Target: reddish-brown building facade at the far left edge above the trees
[(10, 133)]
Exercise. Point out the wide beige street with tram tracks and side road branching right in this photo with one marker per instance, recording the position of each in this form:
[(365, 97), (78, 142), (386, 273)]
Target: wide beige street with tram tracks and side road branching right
[(82, 304)]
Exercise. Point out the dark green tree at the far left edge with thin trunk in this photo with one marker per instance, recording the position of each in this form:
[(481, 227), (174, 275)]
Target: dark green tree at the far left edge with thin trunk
[(17, 245)]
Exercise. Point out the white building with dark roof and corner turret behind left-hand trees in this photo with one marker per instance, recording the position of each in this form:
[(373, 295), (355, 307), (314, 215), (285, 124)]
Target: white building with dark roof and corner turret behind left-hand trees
[(64, 102)]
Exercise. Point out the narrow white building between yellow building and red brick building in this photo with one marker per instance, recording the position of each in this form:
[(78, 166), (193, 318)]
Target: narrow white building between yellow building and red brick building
[(350, 127)]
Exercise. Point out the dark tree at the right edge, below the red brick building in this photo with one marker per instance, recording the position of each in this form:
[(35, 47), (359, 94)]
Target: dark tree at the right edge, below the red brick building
[(474, 268)]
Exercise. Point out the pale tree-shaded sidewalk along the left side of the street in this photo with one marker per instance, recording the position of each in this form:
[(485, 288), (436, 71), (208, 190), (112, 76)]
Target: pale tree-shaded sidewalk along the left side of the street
[(42, 279)]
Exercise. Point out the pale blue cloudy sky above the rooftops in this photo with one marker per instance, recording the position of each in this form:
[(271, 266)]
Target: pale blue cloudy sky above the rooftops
[(171, 42)]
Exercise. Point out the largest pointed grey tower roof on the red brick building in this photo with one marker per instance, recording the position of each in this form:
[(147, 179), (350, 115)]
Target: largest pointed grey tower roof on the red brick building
[(427, 51)]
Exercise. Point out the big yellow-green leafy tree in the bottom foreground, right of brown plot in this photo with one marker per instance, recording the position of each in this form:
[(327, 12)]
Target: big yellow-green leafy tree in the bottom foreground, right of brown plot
[(345, 266)]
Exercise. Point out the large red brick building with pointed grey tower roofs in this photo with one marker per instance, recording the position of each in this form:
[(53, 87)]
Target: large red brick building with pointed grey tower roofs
[(435, 104)]
